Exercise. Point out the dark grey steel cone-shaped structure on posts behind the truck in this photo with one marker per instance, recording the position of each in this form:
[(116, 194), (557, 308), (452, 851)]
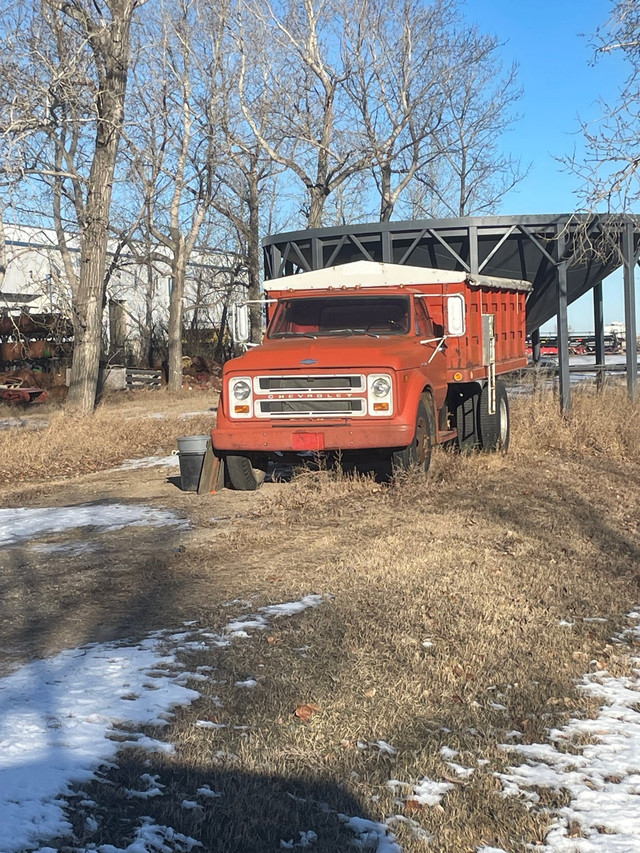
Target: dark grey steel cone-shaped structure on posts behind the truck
[(562, 255)]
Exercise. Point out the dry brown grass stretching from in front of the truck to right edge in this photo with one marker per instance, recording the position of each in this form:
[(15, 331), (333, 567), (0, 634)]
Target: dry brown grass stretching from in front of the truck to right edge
[(485, 558)]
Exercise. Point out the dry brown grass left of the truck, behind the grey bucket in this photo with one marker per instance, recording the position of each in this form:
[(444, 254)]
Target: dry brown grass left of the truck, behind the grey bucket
[(122, 427)]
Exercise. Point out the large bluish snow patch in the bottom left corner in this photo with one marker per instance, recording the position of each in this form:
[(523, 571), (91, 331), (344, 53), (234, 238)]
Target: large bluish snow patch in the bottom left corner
[(57, 720)]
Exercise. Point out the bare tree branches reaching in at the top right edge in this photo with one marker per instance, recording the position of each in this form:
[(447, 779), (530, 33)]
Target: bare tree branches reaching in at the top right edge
[(609, 169)]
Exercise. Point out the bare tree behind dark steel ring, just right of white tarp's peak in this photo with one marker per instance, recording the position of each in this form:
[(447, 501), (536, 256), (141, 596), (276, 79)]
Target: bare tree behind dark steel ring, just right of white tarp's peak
[(401, 52)]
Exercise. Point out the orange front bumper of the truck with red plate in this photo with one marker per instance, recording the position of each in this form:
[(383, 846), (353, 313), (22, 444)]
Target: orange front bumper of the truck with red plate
[(319, 435)]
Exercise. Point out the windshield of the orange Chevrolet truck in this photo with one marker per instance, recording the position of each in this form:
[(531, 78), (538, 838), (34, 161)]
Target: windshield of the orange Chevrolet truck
[(341, 315)]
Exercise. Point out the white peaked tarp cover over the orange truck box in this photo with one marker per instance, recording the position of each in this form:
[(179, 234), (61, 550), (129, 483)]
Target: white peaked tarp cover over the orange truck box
[(373, 274)]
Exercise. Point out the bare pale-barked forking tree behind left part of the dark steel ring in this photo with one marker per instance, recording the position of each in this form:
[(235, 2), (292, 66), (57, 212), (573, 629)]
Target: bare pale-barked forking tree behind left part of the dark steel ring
[(297, 51)]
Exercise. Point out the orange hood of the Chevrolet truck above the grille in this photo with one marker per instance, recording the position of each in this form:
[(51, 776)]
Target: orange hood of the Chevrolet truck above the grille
[(328, 353)]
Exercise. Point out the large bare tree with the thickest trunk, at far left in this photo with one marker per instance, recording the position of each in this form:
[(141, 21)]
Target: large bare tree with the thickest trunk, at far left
[(70, 107)]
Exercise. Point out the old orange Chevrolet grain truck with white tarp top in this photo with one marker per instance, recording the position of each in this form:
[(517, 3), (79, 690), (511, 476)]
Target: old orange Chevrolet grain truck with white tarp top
[(375, 363)]
